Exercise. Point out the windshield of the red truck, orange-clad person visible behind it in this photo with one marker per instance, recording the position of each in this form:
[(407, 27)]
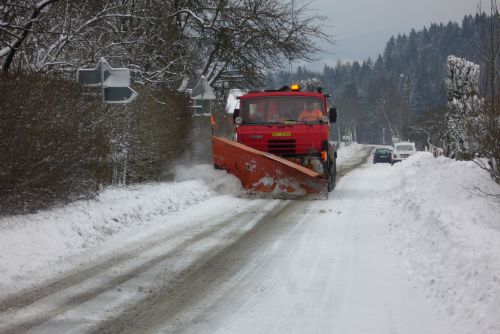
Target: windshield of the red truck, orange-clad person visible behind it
[(282, 109)]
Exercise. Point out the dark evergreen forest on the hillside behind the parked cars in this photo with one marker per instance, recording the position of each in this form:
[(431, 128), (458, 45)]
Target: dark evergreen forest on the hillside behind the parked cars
[(405, 87)]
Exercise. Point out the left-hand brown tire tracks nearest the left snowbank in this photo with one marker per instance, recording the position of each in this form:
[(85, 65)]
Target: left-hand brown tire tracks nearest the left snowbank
[(12, 308)]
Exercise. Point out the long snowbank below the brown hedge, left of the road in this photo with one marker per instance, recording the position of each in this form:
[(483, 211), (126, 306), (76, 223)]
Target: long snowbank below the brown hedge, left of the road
[(28, 242)]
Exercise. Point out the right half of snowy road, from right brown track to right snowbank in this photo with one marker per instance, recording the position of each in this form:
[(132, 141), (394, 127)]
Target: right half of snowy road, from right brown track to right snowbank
[(316, 267)]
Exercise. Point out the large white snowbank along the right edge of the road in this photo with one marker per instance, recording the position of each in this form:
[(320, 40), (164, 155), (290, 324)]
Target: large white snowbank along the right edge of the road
[(448, 233)]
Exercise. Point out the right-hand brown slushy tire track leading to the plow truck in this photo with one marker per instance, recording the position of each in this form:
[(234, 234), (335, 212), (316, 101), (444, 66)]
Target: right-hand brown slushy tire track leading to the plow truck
[(171, 301)]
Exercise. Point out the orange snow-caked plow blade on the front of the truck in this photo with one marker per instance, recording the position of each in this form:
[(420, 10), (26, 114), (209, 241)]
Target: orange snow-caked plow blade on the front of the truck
[(262, 172)]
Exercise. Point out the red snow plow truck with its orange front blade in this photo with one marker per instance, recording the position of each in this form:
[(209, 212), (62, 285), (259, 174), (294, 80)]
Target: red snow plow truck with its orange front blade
[(282, 143)]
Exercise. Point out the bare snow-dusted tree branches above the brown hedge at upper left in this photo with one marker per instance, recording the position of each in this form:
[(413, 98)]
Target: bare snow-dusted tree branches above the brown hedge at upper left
[(164, 42)]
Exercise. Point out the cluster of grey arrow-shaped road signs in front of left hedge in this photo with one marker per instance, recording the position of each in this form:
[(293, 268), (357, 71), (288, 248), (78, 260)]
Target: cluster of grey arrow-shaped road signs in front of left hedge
[(114, 82)]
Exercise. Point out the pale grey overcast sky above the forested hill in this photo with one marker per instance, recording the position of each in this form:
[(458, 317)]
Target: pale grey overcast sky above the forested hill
[(361, 28)]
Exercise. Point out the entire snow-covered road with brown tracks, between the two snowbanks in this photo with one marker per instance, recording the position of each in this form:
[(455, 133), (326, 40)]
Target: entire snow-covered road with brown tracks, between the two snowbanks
[(233, 265)]
